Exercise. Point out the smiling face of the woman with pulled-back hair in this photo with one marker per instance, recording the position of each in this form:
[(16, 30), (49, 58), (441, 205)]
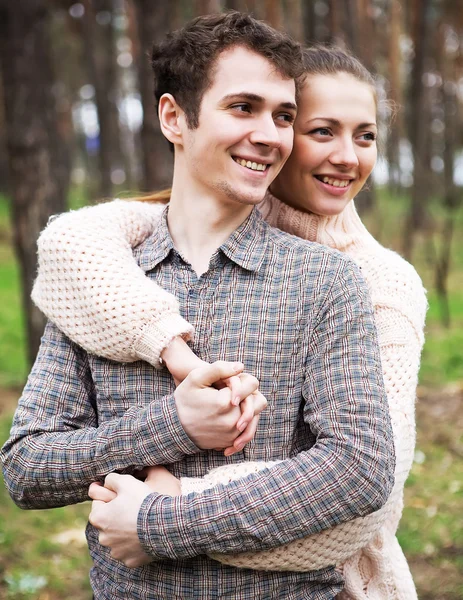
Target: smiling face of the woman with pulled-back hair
[(334, 148)]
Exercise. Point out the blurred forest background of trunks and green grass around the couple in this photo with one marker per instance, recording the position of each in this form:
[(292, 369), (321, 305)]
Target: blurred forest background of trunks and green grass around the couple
[(78, 124)]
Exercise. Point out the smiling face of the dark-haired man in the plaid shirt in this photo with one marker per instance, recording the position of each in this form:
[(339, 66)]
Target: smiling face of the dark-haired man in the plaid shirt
[(245, 131)]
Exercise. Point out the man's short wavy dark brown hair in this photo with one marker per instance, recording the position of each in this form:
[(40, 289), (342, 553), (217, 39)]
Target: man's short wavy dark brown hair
[(183, 63)]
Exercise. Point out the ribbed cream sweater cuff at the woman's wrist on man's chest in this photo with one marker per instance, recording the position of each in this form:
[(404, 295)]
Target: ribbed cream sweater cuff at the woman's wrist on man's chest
[(158, 335)]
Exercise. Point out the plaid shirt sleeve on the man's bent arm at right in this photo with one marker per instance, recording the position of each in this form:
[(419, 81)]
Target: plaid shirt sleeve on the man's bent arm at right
[(348, 473)]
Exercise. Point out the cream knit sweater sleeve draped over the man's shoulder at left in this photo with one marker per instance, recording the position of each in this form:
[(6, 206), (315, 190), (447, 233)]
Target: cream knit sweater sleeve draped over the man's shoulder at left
[(89, 285)]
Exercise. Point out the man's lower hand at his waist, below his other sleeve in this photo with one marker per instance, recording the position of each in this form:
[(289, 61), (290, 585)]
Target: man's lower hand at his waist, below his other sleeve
[(116, 520)]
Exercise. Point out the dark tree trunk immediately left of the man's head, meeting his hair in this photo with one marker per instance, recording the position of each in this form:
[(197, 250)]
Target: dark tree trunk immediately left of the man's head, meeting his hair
[(153, 20)]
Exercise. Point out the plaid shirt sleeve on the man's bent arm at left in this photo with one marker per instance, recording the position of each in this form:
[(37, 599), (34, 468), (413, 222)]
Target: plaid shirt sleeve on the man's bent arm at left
[(56, 446)]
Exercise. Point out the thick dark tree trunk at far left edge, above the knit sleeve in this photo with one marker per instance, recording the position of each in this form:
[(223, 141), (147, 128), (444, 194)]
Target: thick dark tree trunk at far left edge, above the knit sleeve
[(39, 170)]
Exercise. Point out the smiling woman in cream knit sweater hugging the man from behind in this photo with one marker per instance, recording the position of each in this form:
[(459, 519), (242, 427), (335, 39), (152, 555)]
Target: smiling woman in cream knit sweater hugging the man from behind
[(108, 306)]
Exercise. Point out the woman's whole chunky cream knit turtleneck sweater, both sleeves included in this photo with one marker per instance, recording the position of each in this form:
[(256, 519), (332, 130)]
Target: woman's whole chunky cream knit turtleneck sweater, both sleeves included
[(89, 286)]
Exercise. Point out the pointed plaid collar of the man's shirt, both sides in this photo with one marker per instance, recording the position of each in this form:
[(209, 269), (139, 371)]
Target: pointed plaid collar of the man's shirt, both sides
[(245, 246)]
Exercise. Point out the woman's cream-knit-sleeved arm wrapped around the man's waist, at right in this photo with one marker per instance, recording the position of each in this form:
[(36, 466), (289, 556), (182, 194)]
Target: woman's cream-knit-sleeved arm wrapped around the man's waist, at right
[(401, 339)]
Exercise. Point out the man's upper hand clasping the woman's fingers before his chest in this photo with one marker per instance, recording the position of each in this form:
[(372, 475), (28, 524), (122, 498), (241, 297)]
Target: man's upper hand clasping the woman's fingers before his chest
[(208, 415)]
